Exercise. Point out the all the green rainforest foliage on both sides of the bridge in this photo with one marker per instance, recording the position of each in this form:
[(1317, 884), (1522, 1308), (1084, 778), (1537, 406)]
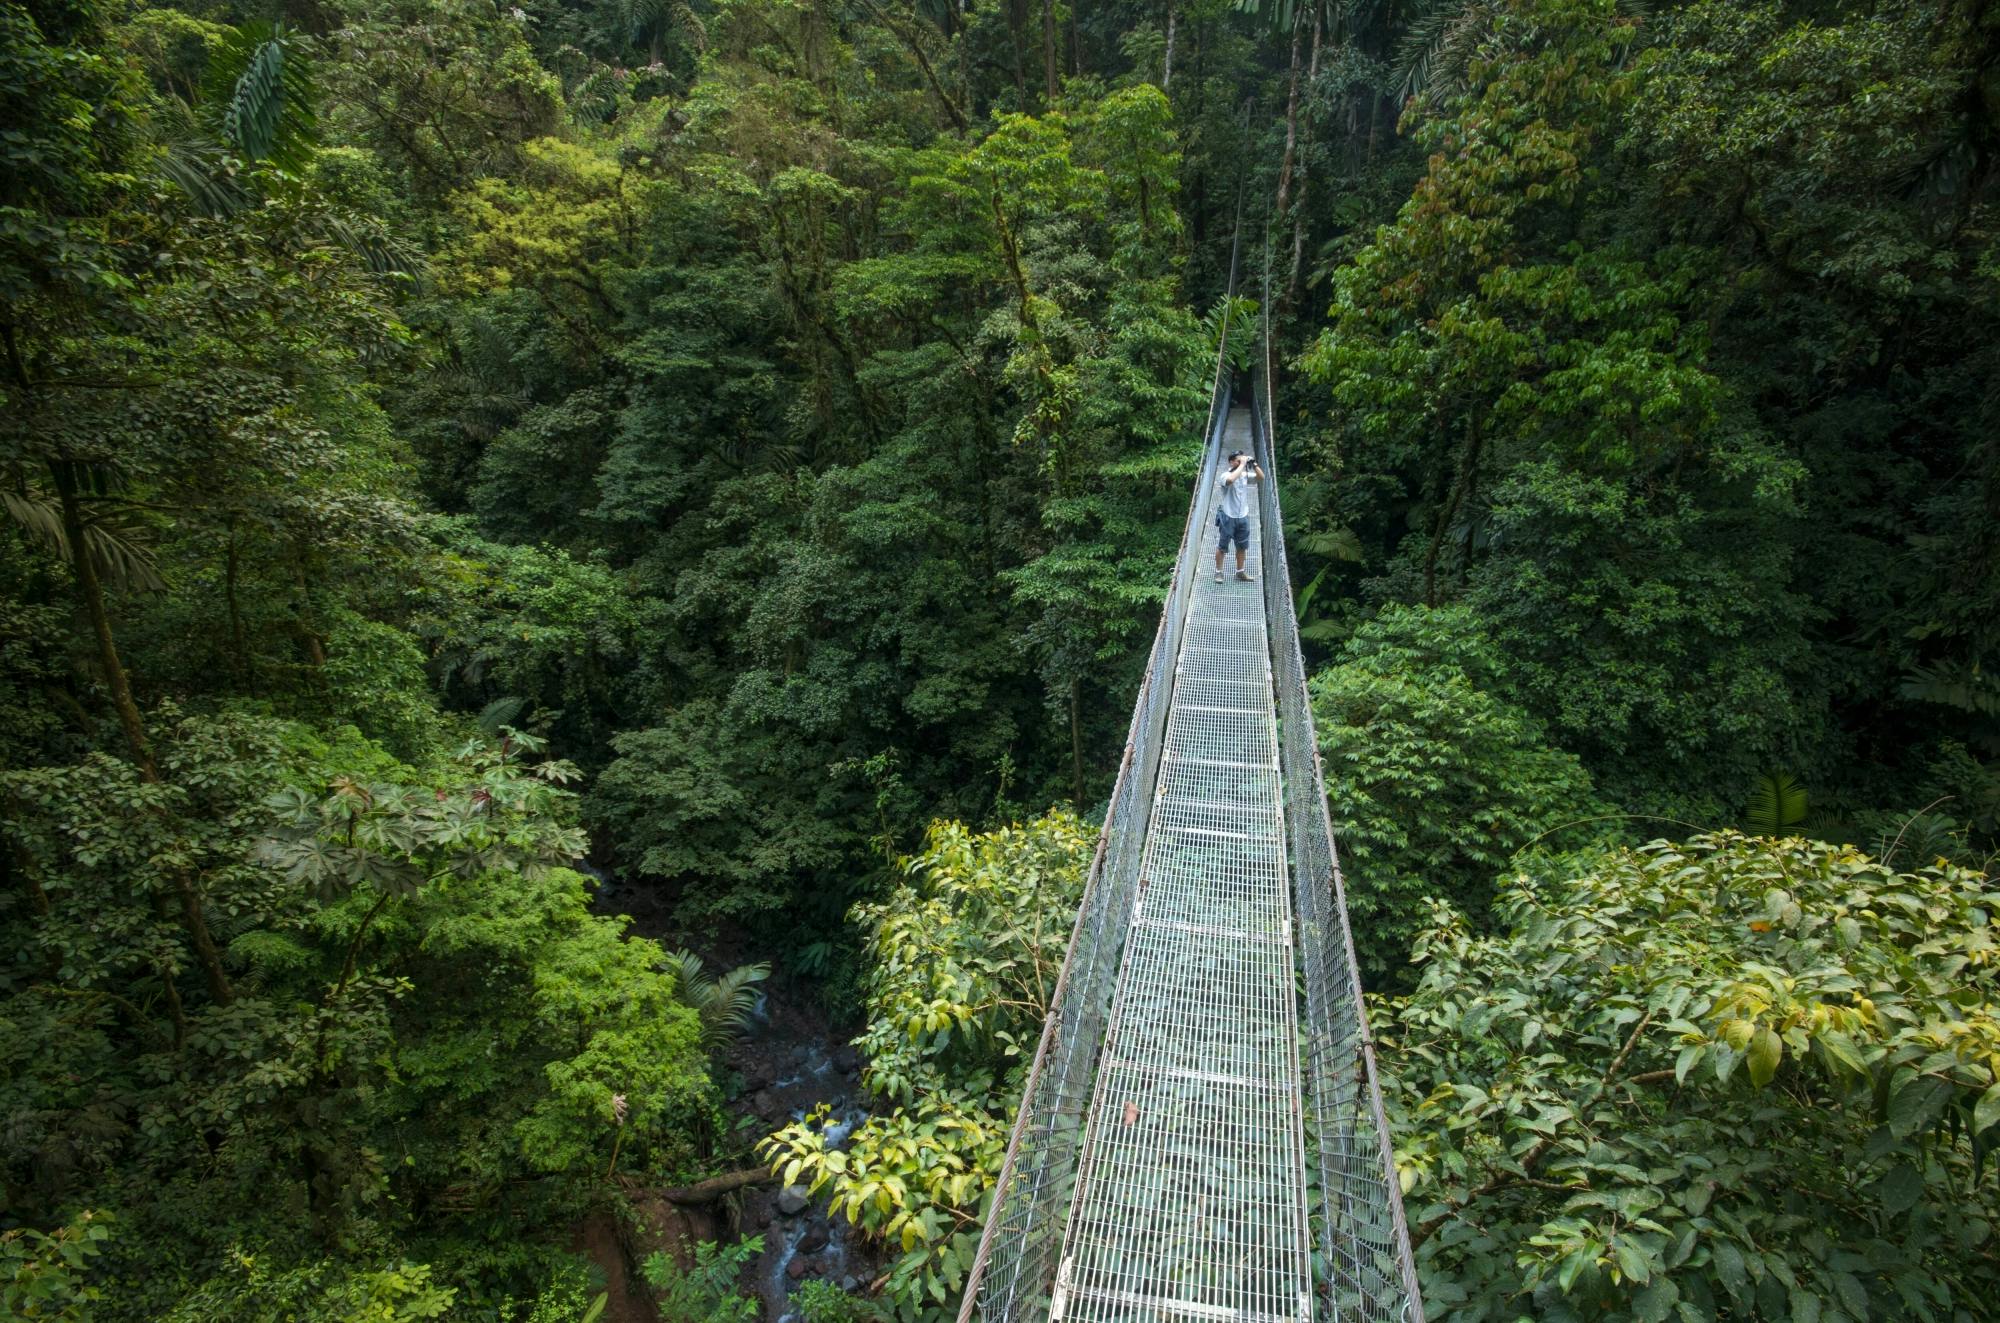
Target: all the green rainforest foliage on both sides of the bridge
[(453, 453)]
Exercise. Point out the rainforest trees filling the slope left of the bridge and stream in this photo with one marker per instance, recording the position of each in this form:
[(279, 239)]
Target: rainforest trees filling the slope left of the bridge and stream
[(749, 405)]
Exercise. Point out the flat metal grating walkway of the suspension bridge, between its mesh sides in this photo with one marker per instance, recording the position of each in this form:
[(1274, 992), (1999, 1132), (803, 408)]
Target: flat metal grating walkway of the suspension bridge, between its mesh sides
[(1191, 1196)]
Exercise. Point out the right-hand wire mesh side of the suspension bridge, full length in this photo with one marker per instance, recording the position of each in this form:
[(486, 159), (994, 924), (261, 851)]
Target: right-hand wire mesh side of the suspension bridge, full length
[(1359, 1208)]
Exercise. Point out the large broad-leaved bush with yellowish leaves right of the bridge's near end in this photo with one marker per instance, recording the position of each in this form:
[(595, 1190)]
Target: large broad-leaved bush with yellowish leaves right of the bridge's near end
[(1737, 1078)]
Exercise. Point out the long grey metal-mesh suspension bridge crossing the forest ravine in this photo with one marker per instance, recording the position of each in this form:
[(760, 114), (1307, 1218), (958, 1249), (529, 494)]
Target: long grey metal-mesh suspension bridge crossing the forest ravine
[(1203, 1134)]
